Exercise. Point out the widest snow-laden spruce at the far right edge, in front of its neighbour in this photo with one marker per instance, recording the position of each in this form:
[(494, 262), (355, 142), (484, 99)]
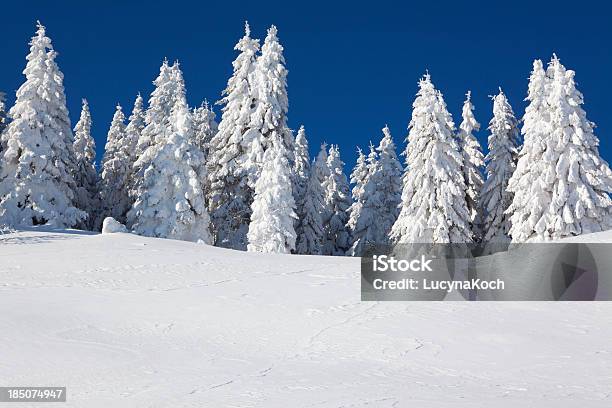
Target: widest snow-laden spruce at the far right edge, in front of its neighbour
[(561, 184)]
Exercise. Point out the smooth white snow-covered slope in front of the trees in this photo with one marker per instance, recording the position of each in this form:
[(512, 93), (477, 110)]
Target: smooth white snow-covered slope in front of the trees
[(127, 321)]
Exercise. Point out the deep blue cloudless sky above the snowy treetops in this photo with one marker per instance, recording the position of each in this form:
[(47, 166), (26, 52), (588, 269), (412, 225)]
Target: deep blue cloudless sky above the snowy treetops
[(352, 68)]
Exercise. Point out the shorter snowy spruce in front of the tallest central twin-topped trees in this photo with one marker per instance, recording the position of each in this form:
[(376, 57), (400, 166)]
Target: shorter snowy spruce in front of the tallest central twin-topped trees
[(271, 229)]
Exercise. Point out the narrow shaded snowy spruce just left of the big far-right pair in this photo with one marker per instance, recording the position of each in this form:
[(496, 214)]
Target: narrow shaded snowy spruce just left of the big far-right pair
[(501, 163)]
